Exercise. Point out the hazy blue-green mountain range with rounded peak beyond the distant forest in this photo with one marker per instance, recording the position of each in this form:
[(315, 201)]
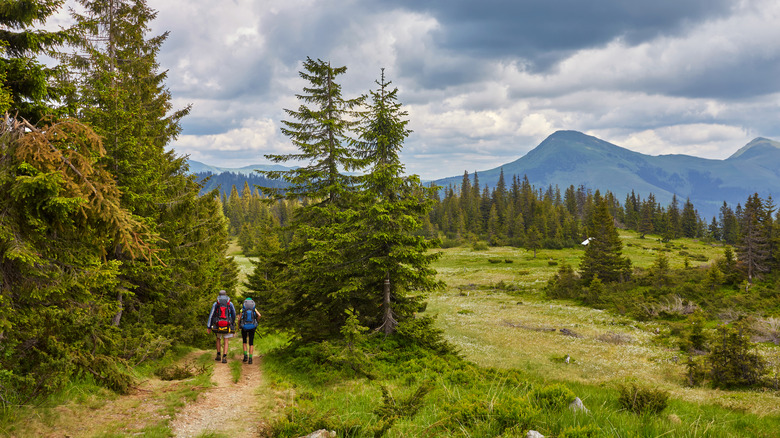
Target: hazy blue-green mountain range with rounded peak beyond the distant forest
[(572, 158)]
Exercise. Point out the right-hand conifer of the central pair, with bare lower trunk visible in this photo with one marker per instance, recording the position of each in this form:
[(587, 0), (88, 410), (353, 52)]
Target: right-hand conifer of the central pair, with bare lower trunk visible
[(395, 260)]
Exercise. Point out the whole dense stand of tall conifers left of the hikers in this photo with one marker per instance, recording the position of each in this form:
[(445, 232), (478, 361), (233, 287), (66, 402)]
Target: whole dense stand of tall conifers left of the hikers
[(107, 251)]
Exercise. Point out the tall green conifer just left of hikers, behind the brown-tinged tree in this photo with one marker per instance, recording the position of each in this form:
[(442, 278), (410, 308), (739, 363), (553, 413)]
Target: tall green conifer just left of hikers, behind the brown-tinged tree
[(119, 89)]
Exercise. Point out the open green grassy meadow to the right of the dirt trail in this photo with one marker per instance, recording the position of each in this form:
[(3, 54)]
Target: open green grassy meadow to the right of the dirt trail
[(494, 312)]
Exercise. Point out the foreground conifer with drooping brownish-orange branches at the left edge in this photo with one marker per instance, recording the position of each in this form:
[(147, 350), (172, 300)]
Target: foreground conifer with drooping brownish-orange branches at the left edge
[(61, 218)]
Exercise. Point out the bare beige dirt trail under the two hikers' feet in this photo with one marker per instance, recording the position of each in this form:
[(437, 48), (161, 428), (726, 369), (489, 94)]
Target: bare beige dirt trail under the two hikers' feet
[(228, 408)]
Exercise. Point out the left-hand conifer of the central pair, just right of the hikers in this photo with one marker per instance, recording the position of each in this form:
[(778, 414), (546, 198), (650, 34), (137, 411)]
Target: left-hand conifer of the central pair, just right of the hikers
[(311, 270)]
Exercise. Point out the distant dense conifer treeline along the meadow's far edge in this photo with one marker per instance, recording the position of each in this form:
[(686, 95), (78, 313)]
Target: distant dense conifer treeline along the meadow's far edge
[(517, 214)]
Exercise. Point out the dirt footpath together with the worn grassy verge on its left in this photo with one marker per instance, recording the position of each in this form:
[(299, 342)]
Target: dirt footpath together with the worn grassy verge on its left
[(223, 409)]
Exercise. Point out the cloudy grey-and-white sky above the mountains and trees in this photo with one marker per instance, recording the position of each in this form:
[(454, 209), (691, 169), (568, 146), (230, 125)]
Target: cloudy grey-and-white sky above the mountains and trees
[(483, 81)]
